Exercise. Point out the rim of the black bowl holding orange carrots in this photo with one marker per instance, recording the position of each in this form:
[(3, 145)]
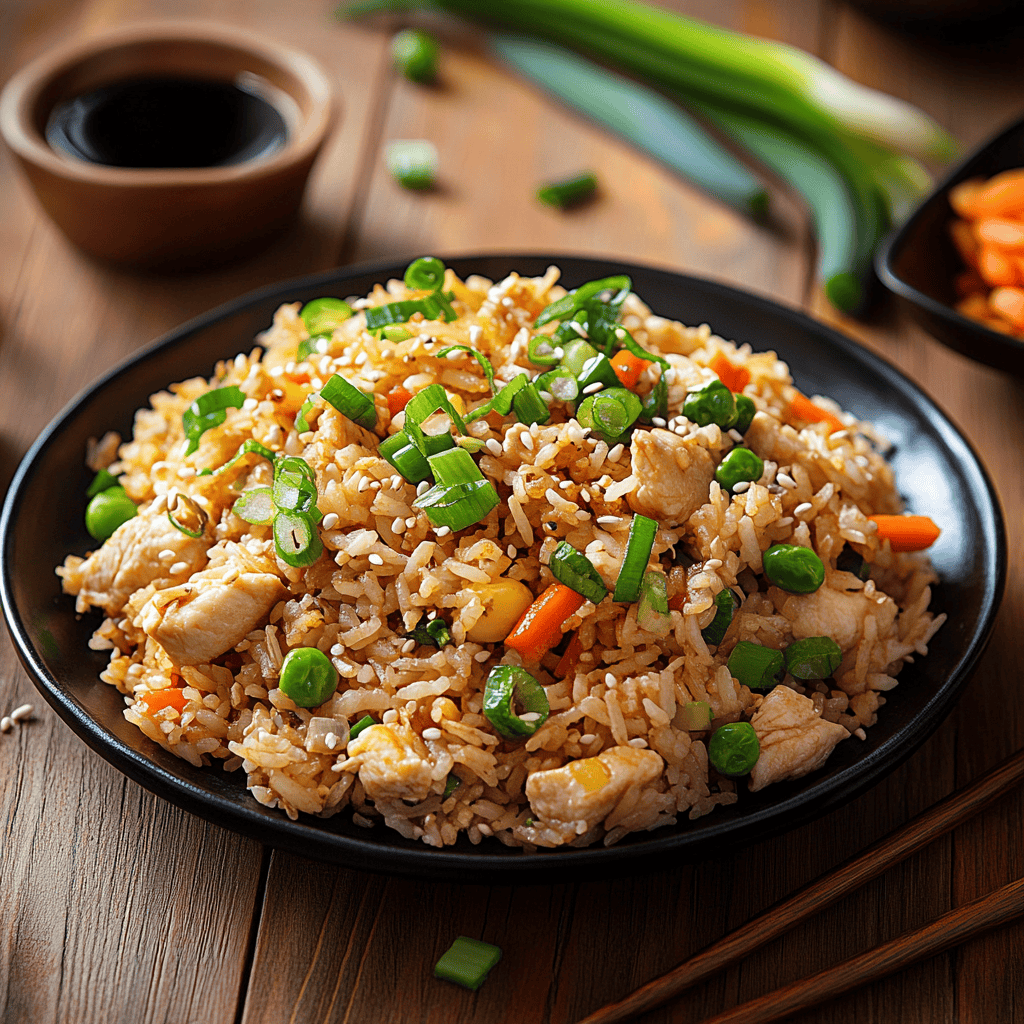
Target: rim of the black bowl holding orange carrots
[(898, 239)]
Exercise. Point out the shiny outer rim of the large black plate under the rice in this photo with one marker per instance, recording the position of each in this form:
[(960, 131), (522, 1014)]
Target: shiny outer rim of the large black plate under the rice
[(302, 838)]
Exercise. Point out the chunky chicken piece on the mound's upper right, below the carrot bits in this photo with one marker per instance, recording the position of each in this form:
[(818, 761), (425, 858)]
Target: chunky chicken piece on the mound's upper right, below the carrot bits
[(674, 477)]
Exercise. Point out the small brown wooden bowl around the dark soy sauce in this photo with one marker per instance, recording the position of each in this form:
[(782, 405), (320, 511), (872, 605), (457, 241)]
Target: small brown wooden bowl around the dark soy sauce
[(173, 219)]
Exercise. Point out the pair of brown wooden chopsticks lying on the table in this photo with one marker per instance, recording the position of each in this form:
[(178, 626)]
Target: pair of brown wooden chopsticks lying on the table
[(944, 933)]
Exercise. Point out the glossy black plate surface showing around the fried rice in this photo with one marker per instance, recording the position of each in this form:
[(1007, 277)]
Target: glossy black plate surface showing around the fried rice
[(936, 468)]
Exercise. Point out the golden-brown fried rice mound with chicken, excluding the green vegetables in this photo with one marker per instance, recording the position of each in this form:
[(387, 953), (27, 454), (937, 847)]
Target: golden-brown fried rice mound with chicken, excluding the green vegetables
[(214, 616)]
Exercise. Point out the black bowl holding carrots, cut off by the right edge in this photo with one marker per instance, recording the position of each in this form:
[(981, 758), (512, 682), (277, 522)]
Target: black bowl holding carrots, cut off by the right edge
[(919, 263)]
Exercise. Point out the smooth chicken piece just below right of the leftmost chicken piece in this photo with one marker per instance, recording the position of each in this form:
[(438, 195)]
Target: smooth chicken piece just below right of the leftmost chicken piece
[(212, 613)]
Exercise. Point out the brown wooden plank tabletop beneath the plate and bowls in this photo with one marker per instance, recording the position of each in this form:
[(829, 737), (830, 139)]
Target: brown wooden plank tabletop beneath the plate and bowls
[(118, 908)]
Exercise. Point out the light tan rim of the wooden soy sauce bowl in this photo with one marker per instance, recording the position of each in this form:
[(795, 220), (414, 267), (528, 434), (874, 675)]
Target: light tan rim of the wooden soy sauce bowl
[(24, 89)]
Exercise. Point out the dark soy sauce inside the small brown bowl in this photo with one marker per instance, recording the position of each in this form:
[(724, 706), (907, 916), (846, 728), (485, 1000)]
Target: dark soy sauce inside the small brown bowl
[(165, 123)]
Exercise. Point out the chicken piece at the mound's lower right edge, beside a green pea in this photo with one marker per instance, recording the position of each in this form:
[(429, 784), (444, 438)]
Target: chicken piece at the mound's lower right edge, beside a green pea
[(795, 740)]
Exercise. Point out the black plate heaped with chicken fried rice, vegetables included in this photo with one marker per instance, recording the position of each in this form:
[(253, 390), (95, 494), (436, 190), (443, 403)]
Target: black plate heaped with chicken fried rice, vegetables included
[(503, 567)]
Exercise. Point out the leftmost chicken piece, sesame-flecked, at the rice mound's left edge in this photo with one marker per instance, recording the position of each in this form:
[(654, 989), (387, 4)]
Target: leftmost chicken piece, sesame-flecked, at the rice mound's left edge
[(132, 560)]
